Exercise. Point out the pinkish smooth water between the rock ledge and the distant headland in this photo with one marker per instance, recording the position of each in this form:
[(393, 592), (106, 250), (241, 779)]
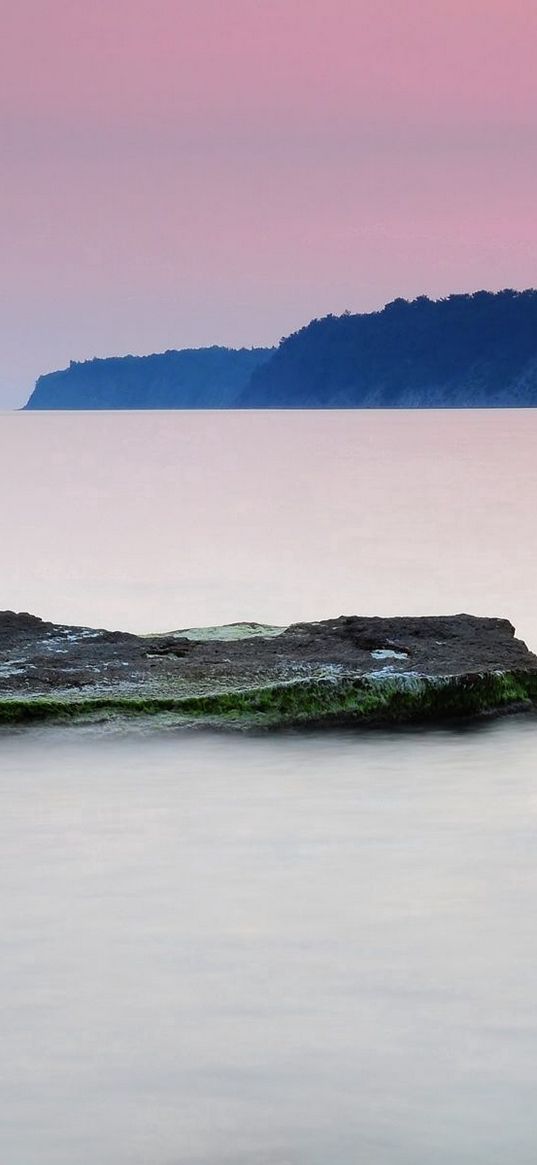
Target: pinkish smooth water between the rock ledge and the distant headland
[(152, 521)]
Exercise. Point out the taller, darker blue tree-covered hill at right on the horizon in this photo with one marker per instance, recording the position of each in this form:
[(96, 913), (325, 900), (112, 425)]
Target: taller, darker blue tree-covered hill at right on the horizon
[(467, 351)]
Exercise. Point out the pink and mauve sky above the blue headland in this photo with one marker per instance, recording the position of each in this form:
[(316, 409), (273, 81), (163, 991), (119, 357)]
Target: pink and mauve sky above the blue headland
[(181, 173)]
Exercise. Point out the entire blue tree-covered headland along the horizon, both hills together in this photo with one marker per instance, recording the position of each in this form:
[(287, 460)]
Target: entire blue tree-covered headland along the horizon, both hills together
[(467, 351)]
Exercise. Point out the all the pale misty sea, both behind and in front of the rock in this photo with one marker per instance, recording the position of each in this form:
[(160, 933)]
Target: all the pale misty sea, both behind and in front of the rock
[(255, 950)]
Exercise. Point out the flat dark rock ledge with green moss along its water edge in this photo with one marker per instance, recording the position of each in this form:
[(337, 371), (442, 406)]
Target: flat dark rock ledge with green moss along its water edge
[(338, 672)]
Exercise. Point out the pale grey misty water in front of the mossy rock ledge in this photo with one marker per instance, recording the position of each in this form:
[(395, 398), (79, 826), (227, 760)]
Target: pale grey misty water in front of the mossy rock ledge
[(222, 951)]
